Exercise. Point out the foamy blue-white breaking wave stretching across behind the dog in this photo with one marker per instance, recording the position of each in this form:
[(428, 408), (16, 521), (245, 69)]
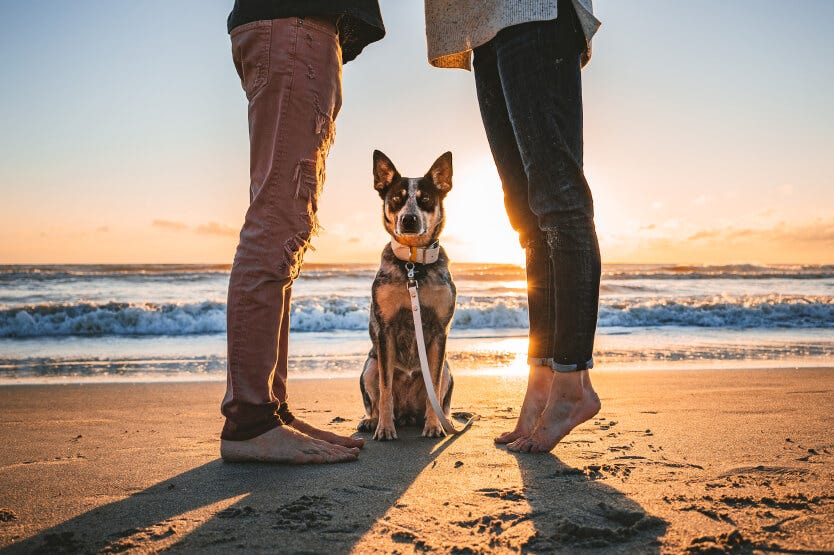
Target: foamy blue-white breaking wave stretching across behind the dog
[(313, 314)]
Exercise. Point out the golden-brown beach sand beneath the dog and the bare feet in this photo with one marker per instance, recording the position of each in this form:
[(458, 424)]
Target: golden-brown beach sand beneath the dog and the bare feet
[(703, 461)]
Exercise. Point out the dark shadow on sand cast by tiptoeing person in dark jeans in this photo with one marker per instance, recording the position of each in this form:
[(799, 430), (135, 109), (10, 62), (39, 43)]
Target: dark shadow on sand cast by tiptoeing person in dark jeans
[(571, 510)]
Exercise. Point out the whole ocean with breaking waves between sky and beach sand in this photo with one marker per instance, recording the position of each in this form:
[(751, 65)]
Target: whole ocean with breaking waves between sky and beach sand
[(78, 323)]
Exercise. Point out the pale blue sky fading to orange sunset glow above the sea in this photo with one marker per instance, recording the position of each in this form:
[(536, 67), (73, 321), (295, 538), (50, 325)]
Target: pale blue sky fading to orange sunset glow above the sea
[(709, 135)]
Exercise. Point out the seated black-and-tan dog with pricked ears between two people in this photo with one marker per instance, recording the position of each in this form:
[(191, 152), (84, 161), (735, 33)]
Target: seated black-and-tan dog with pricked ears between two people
[(391, 383)]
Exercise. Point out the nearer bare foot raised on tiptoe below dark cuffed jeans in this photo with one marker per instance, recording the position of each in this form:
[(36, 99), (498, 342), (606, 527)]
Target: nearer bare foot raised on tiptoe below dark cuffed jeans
[(572, 401)]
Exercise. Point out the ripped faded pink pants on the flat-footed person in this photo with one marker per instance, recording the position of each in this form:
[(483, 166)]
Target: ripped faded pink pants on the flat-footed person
[(291, 71)]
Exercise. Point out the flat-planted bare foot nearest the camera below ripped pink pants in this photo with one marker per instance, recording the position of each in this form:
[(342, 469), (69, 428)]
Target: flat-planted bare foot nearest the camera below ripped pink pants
[(285, 445)]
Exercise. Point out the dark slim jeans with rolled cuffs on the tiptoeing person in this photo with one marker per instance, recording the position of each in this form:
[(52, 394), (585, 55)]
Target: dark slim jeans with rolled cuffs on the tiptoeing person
[(530, 94)]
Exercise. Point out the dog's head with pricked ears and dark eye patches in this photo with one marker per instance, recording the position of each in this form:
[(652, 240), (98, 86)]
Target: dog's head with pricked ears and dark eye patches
[(412, 207)]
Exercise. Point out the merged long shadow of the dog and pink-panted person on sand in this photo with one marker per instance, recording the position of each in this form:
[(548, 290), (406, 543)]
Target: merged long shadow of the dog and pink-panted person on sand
[(254, 507)]
